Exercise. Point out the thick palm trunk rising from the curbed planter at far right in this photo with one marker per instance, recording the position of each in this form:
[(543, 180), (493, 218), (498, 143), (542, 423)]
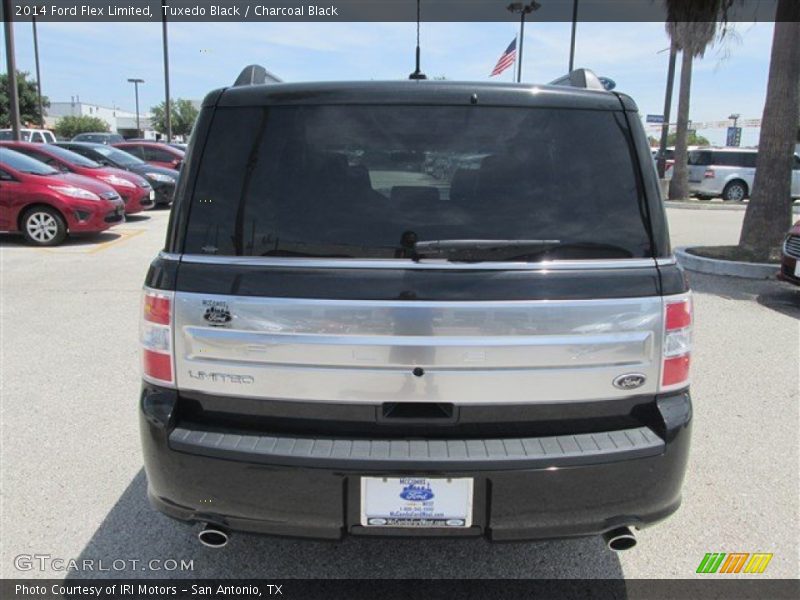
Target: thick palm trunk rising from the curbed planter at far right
[(769, 212)]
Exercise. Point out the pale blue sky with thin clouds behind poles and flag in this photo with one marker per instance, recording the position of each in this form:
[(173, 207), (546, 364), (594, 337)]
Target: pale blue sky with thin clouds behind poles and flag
[(93, 60)]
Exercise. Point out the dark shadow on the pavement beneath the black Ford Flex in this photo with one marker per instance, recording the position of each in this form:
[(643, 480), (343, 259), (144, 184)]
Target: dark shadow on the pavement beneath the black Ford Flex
[(133, 530)]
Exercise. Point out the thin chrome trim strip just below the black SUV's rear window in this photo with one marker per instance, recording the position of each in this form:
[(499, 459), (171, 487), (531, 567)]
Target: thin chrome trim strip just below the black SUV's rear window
[(429, 264)]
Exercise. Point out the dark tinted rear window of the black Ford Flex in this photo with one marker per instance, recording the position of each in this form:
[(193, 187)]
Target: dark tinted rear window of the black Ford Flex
[(370, 181)]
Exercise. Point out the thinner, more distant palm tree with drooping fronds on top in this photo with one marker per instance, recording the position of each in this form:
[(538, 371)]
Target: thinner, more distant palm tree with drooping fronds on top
[(692, 27)]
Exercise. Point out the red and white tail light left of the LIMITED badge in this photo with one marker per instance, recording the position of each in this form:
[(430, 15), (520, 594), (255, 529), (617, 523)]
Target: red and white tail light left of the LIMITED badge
[(156, 337)]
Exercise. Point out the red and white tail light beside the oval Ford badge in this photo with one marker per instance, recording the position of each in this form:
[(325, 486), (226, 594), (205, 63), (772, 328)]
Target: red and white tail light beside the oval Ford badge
[(677, 343)]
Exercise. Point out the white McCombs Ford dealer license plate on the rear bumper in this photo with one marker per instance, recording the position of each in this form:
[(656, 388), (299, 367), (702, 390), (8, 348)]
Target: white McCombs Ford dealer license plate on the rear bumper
[(416, 502)]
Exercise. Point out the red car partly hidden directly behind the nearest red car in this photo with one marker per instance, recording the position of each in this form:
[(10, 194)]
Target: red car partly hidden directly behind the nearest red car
[(135, 191)]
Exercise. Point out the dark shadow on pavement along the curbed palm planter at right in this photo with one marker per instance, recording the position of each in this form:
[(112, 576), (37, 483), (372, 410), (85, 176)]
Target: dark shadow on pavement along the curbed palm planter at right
[(775, 295)]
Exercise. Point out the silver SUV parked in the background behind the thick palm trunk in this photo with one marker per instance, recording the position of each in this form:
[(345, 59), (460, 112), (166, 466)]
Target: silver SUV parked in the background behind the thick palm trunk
[(729, 173)]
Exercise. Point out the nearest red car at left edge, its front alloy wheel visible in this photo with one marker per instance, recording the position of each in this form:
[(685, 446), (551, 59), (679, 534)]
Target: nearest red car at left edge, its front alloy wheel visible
[(46, 205)]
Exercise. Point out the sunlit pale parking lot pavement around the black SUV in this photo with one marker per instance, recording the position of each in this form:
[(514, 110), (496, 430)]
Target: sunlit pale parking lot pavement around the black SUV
[(73, 485)]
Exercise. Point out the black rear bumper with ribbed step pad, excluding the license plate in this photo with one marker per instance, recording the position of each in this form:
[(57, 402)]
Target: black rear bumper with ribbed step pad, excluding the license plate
[(525, 488)]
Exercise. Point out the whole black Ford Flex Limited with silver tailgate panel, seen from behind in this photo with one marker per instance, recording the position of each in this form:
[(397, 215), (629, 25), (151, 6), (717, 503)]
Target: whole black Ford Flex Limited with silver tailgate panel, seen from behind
[(417, 308)]
